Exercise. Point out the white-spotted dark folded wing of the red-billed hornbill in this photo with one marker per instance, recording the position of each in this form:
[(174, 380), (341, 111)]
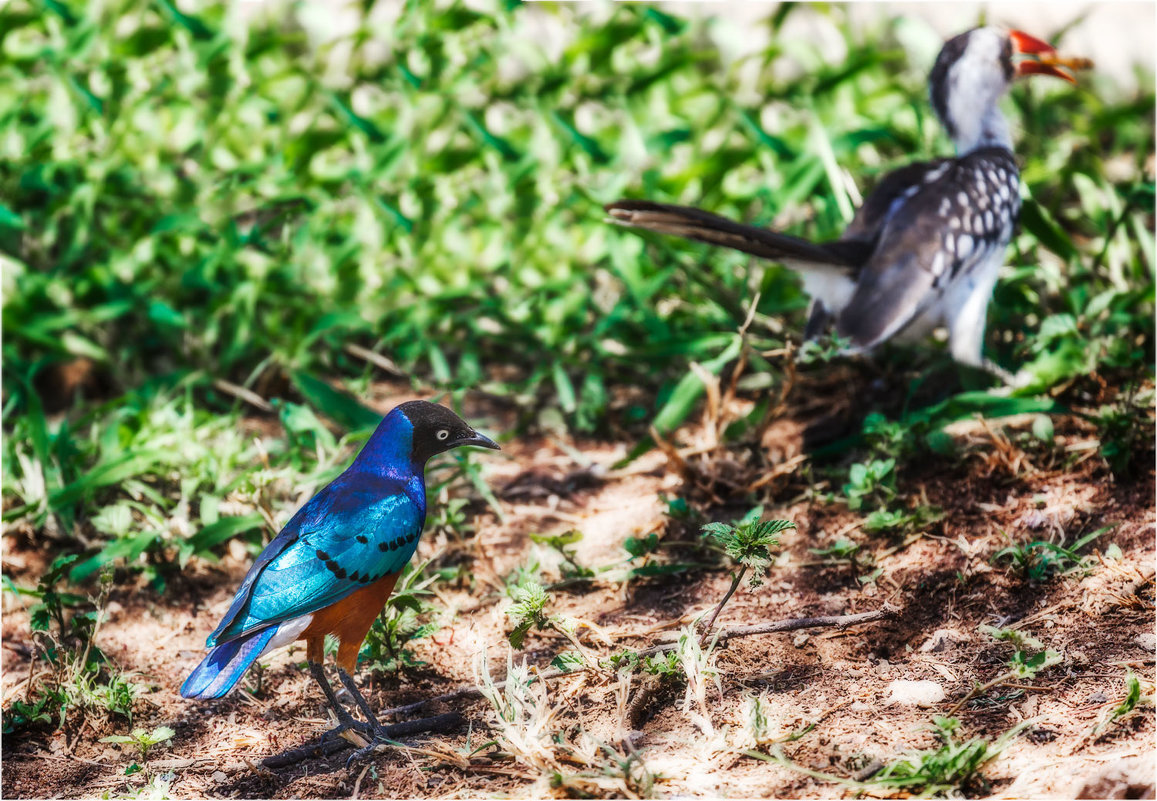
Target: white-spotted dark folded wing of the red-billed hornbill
[(932, 234)]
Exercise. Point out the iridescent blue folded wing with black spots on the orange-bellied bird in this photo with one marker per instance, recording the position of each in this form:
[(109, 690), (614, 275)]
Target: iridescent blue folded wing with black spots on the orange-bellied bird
[(347, 538)]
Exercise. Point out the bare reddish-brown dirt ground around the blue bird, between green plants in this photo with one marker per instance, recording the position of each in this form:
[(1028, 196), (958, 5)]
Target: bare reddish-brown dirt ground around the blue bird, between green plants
[(829, 693)]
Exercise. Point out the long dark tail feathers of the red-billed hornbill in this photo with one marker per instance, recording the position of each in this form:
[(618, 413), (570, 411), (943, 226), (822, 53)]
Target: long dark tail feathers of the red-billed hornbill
[(695, 224)]
